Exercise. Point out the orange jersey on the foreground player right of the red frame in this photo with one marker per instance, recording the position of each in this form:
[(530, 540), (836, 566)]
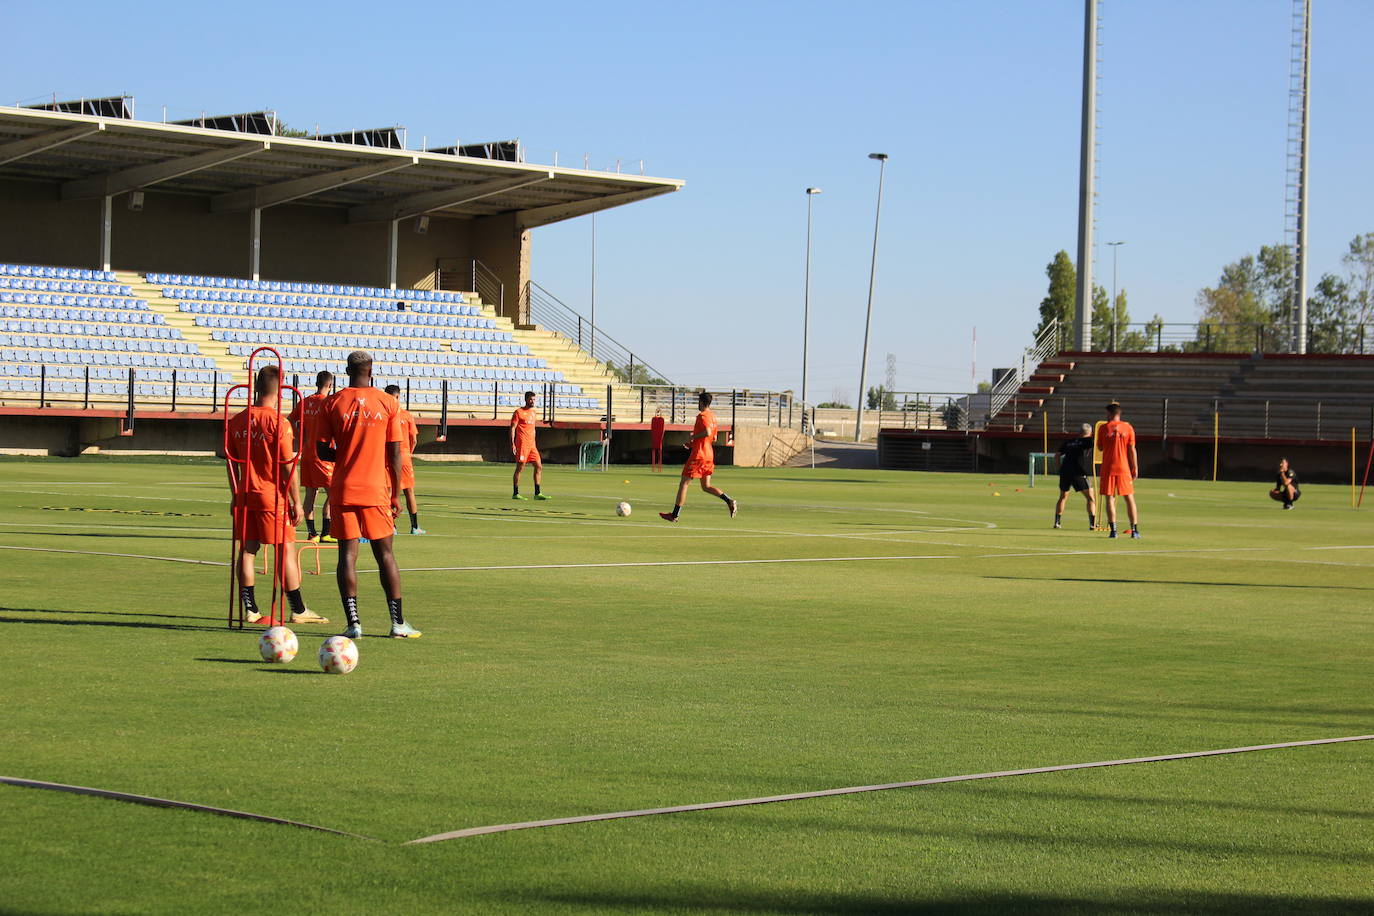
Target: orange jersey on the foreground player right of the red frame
[(361, 422)]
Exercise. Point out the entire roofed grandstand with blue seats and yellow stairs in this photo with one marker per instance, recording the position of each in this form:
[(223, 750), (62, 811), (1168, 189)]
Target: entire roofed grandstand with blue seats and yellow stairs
[(144, 263)]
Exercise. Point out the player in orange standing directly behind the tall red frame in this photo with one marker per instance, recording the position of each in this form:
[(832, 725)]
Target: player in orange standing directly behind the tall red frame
[(270, 507)]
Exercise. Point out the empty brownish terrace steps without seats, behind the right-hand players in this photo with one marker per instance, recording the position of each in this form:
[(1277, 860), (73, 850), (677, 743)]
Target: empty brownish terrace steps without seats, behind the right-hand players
[(1277, 396)]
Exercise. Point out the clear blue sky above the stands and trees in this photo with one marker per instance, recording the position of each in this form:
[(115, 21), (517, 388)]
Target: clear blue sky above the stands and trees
[(978, 105)]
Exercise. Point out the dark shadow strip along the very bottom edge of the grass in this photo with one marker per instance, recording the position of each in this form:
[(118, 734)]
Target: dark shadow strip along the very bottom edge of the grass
[(744, 900)]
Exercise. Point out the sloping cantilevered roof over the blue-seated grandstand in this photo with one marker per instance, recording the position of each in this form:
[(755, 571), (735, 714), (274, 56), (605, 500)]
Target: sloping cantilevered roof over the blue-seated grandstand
[(95, 157)]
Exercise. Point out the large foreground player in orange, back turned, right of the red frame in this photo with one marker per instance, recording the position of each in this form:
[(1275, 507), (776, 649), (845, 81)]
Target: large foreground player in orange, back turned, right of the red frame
[(365, 501)]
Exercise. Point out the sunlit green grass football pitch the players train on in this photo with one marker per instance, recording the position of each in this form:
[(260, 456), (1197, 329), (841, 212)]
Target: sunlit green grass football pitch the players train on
[(612, 683)]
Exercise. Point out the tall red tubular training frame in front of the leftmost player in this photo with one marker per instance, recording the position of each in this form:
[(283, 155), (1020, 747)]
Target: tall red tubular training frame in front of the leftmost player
[(244, 479)]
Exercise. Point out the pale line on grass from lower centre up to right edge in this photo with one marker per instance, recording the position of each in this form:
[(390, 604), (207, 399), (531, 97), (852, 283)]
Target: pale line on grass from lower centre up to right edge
[(855, 790)]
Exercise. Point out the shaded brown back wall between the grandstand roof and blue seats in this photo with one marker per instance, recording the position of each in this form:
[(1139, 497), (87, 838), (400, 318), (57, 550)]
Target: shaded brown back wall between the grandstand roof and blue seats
[(178, 234)]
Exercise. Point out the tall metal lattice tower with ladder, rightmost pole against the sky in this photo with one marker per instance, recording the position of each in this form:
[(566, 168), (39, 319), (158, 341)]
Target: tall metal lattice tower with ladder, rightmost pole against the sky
[(1295, 197)]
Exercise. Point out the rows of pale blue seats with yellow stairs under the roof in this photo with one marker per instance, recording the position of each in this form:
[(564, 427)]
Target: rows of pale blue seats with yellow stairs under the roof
[(71, 332)]
